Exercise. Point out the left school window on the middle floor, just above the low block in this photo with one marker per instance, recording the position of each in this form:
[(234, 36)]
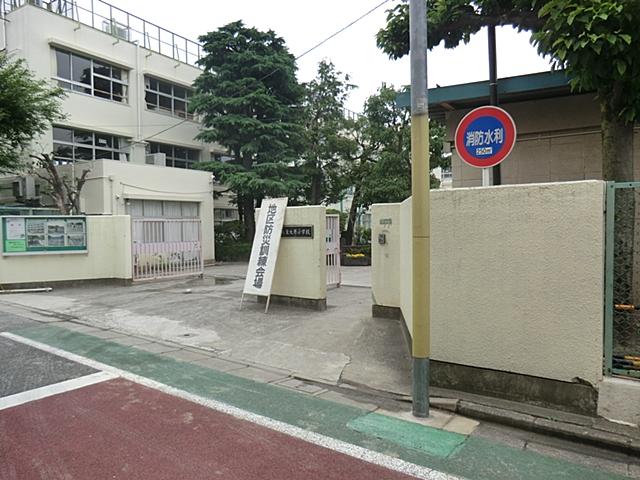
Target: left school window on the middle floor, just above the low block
[(72, 145)]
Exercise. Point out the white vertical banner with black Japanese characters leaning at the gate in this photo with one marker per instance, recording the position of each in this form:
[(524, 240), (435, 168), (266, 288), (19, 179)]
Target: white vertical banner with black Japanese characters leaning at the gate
[(264, 251)]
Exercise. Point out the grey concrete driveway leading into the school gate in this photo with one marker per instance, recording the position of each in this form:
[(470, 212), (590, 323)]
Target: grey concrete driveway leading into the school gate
[(341, 345)]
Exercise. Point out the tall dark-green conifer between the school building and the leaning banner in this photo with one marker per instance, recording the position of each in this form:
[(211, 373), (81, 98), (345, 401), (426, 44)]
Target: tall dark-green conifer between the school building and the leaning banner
[(249, 101)]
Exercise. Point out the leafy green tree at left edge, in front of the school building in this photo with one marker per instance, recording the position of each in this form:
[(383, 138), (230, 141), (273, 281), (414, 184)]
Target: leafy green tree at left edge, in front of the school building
[(27, 108)]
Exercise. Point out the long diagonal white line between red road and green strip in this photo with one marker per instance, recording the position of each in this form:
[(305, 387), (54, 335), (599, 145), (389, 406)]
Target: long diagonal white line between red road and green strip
[(339, 446)]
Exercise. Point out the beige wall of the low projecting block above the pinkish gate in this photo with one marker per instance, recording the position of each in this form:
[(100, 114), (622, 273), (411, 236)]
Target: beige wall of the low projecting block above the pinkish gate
[(111, 184)]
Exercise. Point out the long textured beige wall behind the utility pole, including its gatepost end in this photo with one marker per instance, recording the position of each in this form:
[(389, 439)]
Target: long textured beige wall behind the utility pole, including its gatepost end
[(517, 277)]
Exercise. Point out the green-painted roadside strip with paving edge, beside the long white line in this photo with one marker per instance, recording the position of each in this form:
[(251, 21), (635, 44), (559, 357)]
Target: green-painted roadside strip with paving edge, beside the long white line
[(447, 443)]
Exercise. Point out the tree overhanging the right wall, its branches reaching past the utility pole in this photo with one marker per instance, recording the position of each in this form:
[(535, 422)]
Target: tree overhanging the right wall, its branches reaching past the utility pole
[(596, 41)]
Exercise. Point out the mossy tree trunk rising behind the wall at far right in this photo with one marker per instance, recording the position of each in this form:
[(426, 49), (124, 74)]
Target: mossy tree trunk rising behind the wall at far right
[(617, 138)]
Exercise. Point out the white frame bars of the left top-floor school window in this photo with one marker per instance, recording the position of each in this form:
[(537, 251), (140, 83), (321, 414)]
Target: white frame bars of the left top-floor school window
[(90, 88)]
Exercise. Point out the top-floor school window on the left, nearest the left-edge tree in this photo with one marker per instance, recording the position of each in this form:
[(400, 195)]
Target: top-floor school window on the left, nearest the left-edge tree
[(93, 77)]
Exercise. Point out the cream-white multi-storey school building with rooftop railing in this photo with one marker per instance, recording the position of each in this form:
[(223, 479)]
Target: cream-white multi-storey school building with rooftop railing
[(128, 85)]
